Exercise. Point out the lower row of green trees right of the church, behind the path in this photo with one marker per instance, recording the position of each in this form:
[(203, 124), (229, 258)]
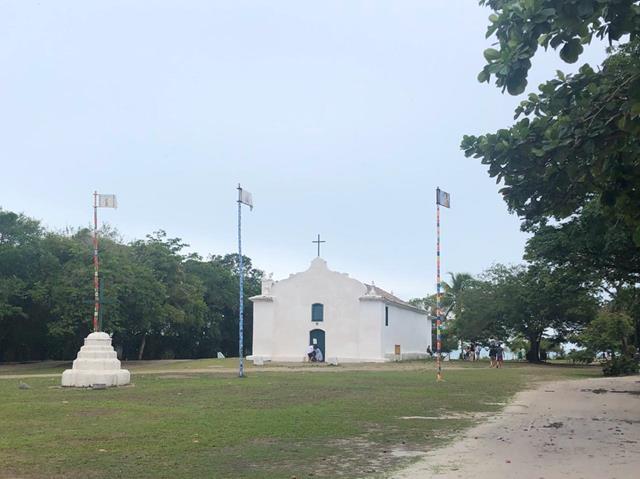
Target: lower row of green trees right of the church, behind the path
[(538, 308)]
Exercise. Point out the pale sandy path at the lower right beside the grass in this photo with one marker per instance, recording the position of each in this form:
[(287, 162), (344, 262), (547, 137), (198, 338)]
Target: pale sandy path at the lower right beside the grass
[(572, 429)]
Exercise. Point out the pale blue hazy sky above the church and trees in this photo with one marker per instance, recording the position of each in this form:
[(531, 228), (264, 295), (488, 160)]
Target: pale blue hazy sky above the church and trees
[(340, 117)]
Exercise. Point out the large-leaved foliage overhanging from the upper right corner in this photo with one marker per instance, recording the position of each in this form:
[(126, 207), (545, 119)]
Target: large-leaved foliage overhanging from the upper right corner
[(579, 138)]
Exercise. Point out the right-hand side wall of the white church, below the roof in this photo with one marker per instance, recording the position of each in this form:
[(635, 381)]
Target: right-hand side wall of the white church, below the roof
[(407, 328)]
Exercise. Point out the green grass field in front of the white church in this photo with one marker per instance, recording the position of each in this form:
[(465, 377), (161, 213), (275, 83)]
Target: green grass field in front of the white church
[(309, 422)]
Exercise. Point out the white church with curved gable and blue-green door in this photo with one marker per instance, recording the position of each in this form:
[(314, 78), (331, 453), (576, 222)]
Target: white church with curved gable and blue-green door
[(348, 320)]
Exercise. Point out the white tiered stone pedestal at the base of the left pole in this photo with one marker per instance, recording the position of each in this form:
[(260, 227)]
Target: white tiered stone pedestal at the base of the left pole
[(96, 365)]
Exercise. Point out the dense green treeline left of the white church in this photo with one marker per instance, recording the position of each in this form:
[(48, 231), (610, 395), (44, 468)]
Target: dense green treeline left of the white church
[(158, 301)]
